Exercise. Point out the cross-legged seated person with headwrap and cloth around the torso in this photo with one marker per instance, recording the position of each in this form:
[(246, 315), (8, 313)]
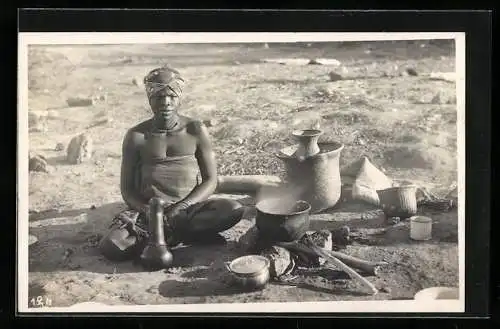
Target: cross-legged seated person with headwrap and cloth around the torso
[(168, 156)]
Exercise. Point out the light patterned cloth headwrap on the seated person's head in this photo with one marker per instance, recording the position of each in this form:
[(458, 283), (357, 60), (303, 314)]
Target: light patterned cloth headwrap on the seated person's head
[(162, 78)]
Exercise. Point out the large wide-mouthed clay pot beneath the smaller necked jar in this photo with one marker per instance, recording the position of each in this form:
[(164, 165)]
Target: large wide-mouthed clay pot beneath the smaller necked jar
[(314, 179)]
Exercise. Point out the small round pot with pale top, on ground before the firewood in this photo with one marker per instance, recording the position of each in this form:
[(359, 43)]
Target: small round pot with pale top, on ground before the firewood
[(250, 272)]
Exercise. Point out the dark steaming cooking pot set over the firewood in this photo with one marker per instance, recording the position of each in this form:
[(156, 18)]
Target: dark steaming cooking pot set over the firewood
[(281, 222)]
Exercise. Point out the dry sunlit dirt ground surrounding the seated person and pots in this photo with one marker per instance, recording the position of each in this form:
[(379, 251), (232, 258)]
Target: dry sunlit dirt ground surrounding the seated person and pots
[(377, 110)]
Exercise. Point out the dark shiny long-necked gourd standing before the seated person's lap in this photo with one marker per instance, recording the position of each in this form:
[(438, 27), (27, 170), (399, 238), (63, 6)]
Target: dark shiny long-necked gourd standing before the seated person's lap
[(156, 255)]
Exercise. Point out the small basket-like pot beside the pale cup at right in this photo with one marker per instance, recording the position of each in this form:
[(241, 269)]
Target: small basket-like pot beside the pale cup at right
[(399, 201)]
